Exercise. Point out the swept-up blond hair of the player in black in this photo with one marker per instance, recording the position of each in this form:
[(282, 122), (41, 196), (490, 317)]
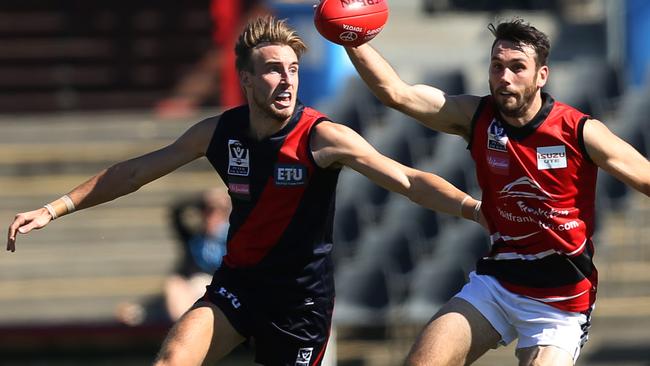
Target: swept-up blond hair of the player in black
[(265, 29)]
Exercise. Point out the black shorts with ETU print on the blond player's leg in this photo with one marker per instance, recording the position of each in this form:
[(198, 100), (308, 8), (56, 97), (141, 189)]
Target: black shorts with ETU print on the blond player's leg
[(292, 334)]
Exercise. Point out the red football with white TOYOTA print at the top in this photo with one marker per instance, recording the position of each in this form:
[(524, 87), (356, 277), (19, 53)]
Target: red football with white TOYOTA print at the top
[(350, 22)]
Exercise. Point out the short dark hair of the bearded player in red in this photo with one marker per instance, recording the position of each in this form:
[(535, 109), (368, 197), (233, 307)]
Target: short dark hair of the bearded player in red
[(521, 33)]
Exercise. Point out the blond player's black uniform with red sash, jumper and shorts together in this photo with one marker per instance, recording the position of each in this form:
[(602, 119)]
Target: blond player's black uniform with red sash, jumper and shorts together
[(276, 282)]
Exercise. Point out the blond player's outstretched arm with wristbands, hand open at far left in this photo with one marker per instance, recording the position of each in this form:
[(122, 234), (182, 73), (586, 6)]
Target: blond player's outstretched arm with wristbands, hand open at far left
[(120, 179)]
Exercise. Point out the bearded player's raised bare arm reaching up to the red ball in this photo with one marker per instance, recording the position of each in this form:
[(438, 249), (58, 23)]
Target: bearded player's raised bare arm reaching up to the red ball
[(427, 104)]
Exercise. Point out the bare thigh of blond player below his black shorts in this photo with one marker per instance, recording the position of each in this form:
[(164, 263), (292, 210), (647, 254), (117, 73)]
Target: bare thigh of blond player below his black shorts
[(203, 333)]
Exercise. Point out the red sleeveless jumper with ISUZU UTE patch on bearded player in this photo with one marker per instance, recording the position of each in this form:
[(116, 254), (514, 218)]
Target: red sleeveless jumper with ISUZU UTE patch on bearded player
[(538, 188)]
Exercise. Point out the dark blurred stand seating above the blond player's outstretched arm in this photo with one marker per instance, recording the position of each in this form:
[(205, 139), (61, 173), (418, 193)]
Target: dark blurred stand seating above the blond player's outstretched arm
[(77, 55)]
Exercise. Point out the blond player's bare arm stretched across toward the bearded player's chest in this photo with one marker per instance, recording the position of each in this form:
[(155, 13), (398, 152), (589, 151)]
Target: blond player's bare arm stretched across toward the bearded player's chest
[(335, 145)]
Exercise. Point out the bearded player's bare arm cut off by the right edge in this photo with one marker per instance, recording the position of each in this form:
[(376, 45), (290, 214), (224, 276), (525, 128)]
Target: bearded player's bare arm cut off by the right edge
[(616, 156)]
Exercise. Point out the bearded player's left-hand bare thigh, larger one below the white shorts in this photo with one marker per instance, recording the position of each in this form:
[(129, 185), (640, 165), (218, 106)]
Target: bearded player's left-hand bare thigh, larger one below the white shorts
[(457, 335)]
